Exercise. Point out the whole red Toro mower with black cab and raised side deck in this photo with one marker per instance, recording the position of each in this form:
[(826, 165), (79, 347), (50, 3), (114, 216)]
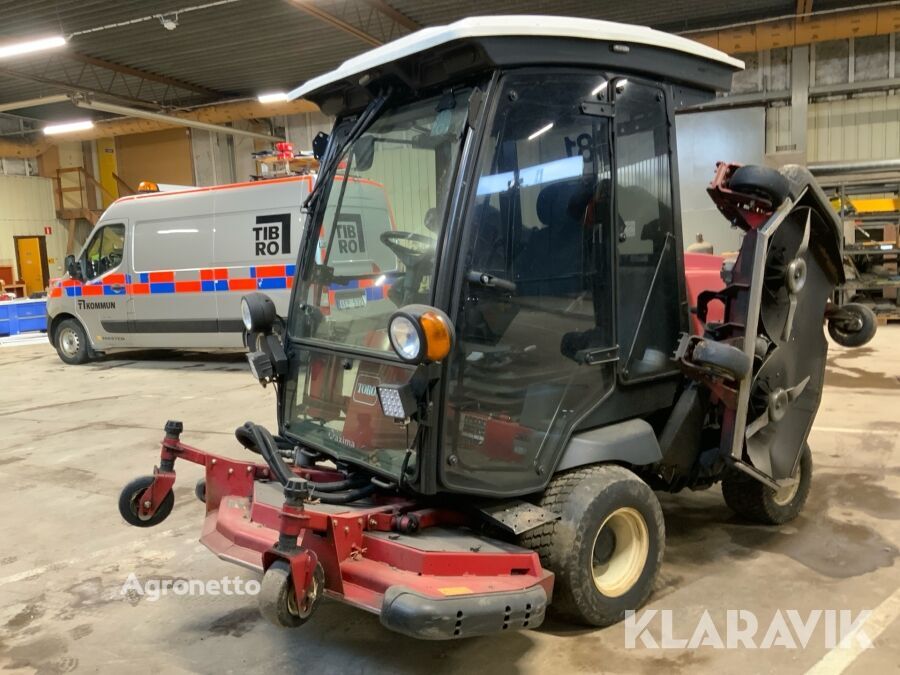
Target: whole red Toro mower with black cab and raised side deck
[(488, 370)]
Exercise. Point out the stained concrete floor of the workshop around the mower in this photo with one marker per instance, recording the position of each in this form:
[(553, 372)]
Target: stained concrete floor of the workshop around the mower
[(73, 436)]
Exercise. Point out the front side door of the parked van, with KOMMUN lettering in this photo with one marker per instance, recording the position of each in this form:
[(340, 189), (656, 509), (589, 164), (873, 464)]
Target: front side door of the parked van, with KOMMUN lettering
[(101, 302)]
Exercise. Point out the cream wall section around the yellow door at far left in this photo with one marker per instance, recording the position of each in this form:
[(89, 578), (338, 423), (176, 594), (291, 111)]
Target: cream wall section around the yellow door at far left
[(28, 207)]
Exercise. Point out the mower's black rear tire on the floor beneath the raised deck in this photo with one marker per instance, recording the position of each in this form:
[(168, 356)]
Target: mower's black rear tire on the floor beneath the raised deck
[(758, 503)]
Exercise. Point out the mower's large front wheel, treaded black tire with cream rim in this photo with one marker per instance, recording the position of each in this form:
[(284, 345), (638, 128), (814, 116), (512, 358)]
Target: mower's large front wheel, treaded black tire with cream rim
[(607, 547)]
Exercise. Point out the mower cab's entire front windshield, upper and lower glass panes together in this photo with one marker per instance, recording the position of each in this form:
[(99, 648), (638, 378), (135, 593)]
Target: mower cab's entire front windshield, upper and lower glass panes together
[(372, 251)]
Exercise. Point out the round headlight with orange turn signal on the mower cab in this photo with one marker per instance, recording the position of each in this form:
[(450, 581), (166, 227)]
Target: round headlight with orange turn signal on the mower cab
[(420, 333)]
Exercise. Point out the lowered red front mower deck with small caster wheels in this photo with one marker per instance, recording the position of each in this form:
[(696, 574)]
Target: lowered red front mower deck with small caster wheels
[(422, 570)]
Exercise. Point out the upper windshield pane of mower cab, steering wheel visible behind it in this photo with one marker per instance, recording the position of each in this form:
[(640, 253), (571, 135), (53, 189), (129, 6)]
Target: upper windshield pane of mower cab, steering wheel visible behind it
[(380, 224)]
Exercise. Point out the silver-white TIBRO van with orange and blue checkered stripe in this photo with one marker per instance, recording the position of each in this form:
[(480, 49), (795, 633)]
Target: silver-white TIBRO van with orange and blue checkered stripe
[(168, 269)]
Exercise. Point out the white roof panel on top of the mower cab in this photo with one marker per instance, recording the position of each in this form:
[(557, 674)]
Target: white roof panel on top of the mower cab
[(514, 26)]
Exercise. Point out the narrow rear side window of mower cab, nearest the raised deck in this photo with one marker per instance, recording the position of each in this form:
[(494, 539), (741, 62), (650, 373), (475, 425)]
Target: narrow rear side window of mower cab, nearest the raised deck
[(649, 312)]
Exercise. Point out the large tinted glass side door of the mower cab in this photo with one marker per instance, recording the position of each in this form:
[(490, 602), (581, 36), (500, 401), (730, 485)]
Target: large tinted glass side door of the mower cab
[(534, 316)]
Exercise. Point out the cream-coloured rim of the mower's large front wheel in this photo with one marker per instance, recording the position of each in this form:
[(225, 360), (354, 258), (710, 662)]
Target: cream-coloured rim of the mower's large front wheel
[(619, 553)]
